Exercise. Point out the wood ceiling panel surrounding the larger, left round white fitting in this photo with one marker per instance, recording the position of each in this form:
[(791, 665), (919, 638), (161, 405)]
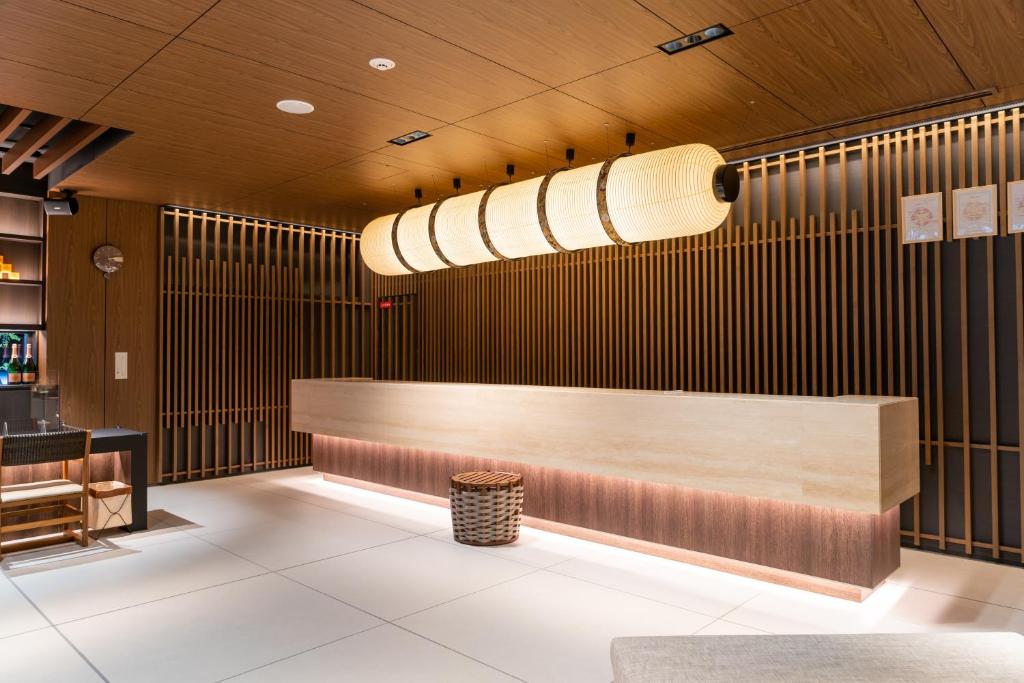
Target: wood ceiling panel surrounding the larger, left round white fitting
[(215, 81)]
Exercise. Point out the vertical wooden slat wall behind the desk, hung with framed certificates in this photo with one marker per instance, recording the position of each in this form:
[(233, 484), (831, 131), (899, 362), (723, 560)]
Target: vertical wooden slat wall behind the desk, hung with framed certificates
[(805, 290)]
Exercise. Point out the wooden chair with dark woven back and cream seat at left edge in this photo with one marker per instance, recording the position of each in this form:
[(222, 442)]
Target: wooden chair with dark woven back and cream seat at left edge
[(50, 503)]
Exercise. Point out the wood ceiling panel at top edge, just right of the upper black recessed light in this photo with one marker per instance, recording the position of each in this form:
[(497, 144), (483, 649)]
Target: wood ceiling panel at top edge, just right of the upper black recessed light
[(834, 60)]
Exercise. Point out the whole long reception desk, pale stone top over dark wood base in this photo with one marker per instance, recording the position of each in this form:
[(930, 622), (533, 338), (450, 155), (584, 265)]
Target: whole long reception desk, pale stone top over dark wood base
[(796, 490)]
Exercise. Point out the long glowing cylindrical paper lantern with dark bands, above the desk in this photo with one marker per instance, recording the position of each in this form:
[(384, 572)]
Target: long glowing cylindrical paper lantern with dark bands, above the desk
[(671, 193)]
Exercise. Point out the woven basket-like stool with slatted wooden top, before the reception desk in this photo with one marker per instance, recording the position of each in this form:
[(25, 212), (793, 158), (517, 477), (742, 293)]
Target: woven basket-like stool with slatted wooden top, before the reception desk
[(487, 507)]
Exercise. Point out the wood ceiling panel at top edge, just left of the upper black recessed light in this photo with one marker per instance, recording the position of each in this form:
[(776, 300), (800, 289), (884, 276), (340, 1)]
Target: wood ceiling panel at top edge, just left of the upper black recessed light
[(552, 42)]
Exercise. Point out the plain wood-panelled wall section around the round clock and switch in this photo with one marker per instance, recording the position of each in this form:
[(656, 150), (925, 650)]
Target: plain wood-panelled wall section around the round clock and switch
[(90, 318)]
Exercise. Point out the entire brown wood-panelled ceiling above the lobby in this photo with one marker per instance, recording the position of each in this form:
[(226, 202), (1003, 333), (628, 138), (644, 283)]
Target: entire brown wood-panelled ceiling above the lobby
[(493, 81)]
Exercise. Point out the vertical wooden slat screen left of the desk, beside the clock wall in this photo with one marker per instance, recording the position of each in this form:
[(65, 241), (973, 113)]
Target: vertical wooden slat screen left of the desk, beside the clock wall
[(247, 306)]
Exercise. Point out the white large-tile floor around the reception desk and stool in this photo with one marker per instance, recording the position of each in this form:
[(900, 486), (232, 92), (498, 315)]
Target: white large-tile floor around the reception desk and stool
[(283, 577)]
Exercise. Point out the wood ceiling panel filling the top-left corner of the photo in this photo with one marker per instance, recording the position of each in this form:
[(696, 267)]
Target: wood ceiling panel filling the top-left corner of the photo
[(74, 40)]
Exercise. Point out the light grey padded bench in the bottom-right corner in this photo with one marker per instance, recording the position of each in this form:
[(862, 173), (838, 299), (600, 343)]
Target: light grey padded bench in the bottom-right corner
[(925, 658)]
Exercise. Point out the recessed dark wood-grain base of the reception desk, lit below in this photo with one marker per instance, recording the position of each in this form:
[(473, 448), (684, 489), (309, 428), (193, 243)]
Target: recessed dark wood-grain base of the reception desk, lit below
[(836, 552)]
